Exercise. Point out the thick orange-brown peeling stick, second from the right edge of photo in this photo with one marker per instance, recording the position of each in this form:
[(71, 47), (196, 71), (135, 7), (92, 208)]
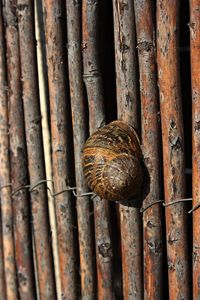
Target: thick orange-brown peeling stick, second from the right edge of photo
[(173, 147)]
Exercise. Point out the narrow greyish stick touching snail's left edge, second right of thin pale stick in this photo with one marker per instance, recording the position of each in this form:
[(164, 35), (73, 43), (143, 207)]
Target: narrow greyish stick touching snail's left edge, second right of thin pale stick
[(78, 103)]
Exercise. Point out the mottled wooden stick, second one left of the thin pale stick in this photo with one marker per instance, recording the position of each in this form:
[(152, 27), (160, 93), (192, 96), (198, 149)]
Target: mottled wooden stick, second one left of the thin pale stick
[(19, 170)]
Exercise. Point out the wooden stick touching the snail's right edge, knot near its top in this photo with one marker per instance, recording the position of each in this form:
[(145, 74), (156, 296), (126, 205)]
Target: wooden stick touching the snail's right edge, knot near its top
[(152, 224)]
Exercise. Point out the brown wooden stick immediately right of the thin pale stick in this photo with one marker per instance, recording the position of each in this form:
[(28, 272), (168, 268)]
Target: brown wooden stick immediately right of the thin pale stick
[(59, 104)]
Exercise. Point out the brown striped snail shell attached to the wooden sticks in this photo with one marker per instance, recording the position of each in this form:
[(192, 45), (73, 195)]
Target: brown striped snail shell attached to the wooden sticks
[(112, 162)]
